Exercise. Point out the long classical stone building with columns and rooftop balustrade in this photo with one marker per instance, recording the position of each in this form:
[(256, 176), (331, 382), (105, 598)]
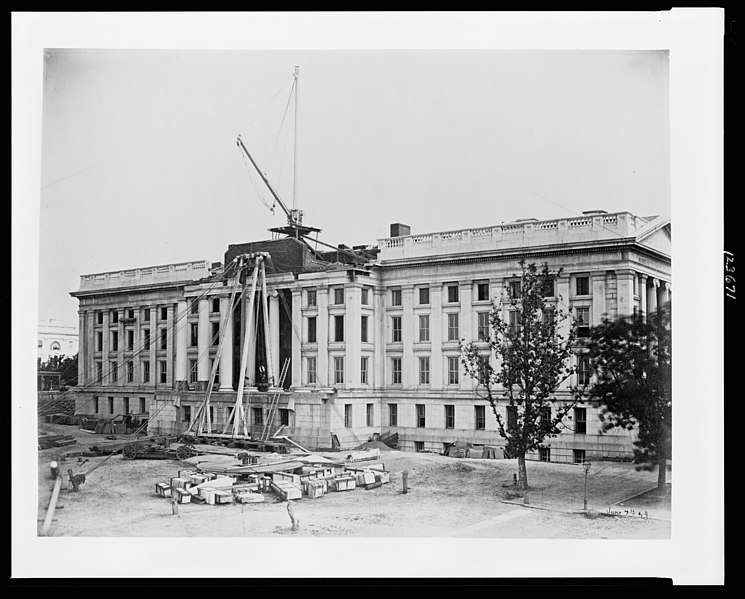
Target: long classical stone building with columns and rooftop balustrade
[(371, 335)]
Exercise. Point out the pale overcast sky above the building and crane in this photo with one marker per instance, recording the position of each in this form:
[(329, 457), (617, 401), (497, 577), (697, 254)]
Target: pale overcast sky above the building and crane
[(140, 165)]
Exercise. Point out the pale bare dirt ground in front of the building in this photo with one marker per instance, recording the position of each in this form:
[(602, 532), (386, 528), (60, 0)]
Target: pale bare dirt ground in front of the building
[(447, 497)]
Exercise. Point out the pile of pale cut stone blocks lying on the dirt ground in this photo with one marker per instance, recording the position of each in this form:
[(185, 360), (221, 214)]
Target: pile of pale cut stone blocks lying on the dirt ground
[(310, 478)]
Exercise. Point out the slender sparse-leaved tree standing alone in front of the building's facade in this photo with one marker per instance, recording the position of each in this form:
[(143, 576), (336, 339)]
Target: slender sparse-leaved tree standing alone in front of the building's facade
[(532, 348)]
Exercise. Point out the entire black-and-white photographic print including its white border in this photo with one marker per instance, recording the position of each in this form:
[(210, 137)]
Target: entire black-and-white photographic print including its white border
[(367, 302)]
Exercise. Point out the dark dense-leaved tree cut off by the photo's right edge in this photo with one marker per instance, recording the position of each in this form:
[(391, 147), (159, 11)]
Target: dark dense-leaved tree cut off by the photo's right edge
[(632, 362)]
